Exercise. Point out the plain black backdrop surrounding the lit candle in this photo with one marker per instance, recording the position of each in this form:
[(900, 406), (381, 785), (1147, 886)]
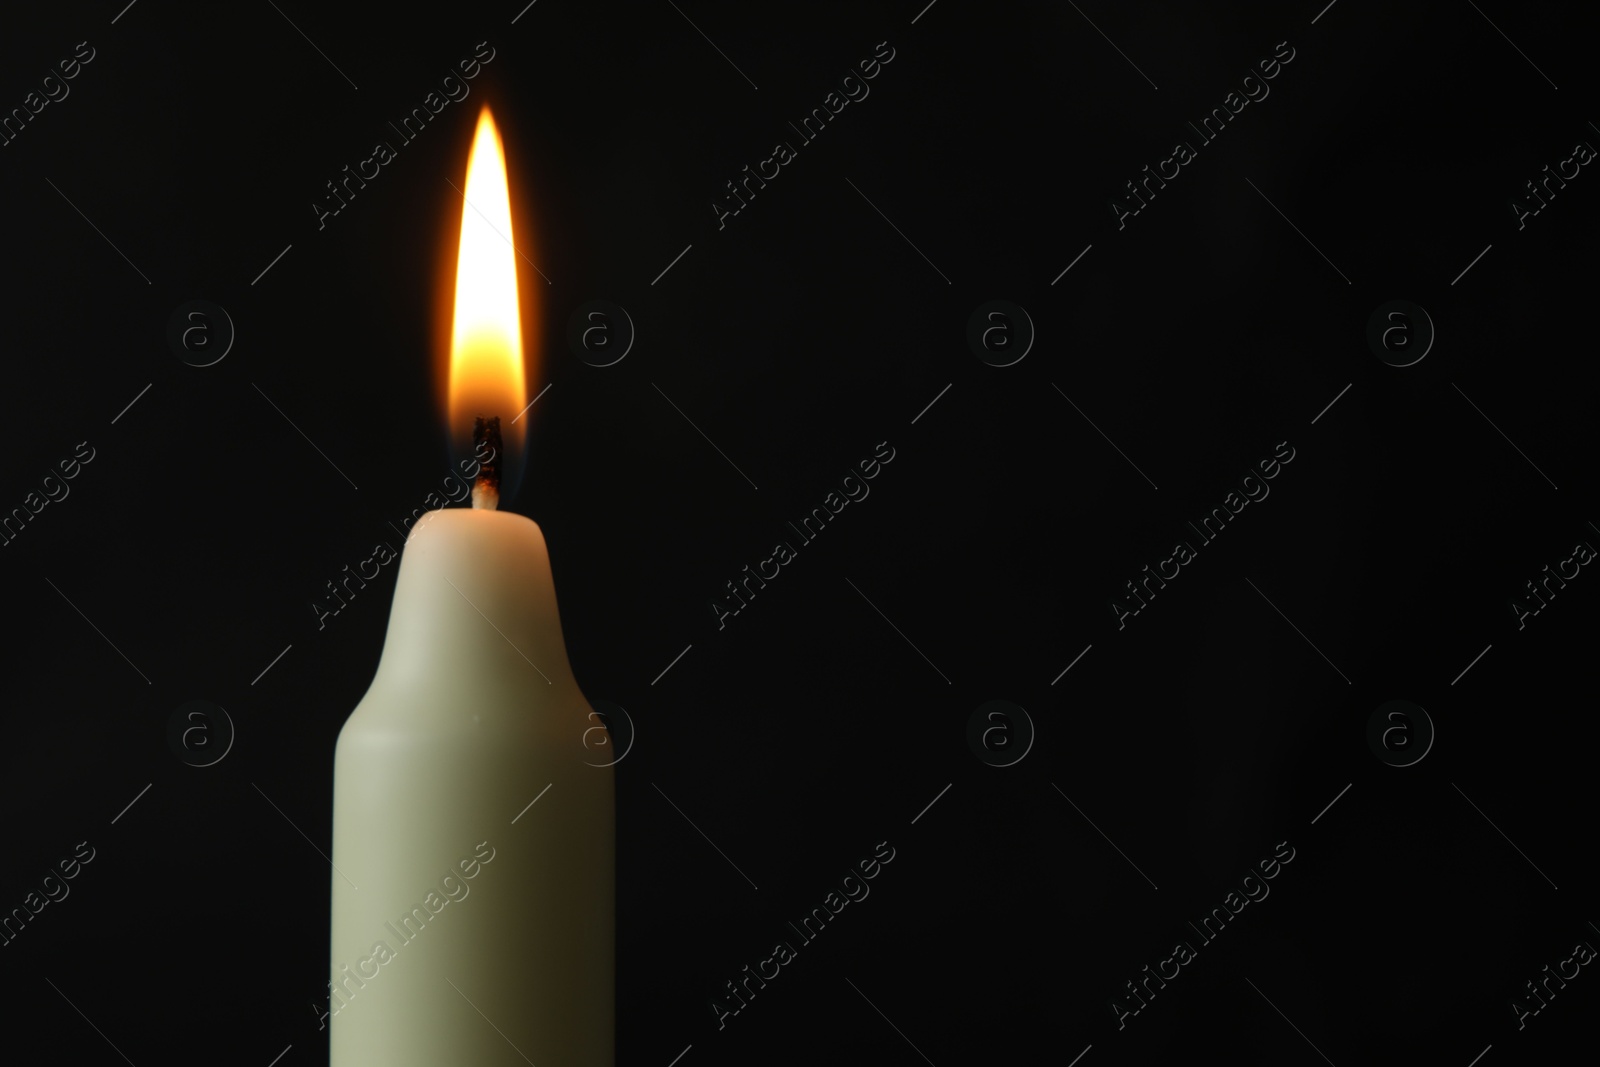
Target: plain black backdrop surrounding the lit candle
[(1199, 337)]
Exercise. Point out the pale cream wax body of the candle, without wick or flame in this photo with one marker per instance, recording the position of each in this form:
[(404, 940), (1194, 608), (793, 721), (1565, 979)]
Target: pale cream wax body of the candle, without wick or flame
[(471, 929)]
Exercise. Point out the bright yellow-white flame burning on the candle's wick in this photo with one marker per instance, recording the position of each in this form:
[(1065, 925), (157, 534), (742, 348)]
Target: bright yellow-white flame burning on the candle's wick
[(487, 372)]
